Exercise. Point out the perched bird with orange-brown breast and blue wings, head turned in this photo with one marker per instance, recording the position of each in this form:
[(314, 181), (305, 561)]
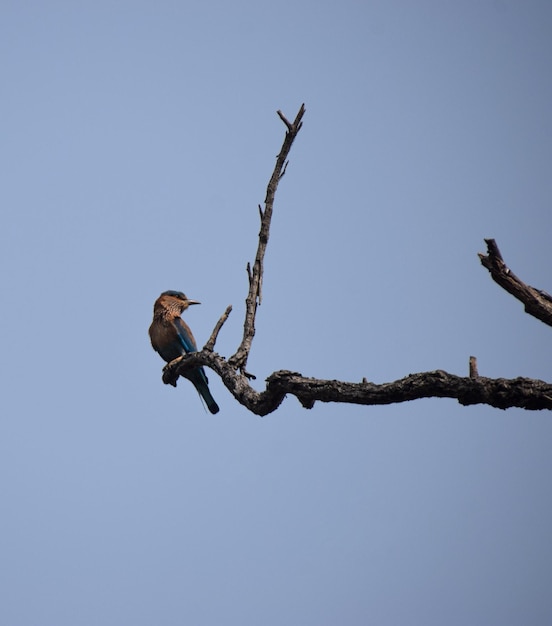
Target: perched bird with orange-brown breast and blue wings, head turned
[(172, 337)]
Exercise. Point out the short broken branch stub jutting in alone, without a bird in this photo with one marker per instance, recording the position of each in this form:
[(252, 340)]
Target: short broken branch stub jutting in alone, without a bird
[(537, 303)]
